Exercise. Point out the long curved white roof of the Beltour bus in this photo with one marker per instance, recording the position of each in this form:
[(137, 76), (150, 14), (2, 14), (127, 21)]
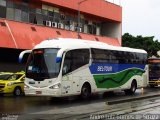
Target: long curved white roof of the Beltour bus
[(70, 43)]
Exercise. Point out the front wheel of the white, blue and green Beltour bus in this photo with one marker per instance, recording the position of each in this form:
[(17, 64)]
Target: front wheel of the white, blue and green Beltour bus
[(86, 91)]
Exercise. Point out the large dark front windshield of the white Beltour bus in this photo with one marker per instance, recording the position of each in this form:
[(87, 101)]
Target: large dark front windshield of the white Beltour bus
[(42, 64)]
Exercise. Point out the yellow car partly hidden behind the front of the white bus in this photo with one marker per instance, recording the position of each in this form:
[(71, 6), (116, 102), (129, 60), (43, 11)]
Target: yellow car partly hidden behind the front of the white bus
[(12, 83)]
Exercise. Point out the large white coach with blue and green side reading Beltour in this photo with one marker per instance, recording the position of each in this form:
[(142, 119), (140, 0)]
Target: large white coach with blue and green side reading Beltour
[(65, 67)]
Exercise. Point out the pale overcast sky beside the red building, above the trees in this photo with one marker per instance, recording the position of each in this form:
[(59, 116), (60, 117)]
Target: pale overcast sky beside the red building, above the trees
[(140, 17)]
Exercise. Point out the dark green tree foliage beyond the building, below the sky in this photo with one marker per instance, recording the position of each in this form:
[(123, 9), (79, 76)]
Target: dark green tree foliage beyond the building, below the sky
[(146, 43)]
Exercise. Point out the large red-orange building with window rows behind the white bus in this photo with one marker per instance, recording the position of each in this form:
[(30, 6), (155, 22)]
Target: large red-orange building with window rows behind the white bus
[(24, 23)]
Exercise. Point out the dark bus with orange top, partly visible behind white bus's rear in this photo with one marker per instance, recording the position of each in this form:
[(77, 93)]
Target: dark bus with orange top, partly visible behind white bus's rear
[(154, 71)]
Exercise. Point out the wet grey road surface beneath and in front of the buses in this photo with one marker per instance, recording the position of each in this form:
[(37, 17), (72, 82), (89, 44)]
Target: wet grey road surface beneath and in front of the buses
[(108, 104)]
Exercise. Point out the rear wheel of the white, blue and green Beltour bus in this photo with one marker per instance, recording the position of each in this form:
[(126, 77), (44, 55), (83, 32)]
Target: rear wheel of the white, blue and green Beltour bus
[(133, 88)]
